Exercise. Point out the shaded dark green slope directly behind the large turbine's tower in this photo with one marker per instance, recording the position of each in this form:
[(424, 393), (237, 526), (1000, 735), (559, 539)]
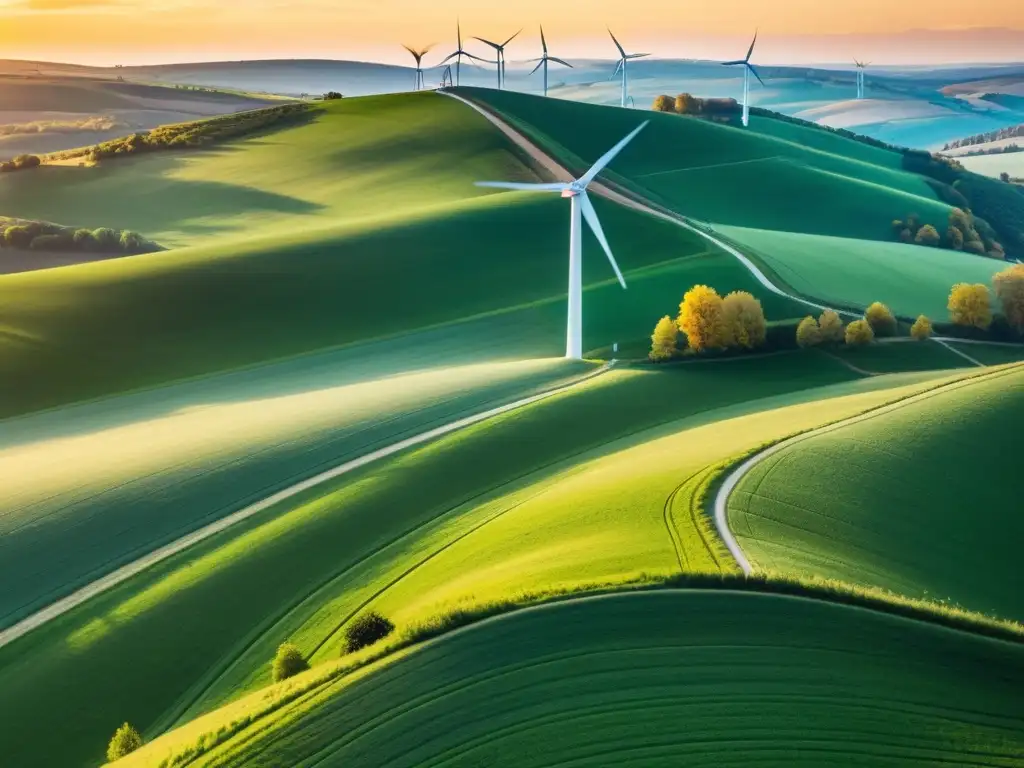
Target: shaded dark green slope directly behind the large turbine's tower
[(97, 329)]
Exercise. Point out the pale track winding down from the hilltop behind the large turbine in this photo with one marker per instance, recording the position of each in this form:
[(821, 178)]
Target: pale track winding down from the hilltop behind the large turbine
[(561, 174)]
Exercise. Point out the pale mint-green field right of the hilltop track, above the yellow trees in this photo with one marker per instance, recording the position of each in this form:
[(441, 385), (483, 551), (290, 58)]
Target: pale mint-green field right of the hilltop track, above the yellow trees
[(911, 280)]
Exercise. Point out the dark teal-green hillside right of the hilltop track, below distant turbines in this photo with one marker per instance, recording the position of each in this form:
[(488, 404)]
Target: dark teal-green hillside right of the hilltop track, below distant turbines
[(734, 177)]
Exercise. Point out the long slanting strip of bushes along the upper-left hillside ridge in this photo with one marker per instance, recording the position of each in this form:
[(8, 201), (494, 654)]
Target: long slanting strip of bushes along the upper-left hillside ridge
[(187, 136)]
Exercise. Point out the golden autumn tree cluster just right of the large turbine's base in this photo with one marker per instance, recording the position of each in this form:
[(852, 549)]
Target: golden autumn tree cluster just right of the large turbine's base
[(710, 322)]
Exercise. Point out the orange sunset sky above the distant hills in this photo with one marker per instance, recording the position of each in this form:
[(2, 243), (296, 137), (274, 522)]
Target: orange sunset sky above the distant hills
[(107, 32)]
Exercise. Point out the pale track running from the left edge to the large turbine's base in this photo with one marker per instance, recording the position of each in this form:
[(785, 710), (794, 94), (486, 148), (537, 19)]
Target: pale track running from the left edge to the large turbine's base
[(127, 572)]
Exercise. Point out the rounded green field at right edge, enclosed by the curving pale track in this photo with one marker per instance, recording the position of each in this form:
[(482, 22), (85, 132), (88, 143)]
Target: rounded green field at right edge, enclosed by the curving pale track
[(922, 500)]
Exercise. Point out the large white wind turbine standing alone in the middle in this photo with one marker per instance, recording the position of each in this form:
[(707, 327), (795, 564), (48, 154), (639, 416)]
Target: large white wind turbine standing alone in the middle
[(582, 208)]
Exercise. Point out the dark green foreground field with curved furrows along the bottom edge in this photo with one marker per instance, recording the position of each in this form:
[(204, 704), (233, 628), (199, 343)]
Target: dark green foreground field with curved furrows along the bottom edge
[(709, 678)]
